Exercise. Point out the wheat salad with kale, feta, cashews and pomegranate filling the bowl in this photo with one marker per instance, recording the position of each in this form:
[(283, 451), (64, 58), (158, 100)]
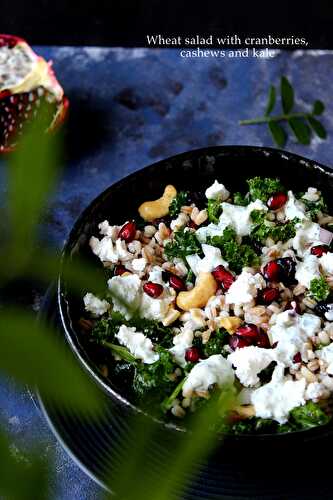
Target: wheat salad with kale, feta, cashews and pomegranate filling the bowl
[(219, 290)]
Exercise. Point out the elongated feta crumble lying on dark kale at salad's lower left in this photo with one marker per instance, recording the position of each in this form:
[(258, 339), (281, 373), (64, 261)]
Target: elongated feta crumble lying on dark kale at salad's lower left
[(137, 343)]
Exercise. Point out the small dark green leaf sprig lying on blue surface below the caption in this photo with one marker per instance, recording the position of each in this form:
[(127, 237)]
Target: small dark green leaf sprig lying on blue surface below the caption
[(302, 124)]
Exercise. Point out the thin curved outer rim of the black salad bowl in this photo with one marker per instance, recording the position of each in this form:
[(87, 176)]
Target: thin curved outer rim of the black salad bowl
[(62, 303)]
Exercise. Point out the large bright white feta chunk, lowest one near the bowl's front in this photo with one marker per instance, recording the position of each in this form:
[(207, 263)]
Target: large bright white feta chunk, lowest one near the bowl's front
[(277, 398)]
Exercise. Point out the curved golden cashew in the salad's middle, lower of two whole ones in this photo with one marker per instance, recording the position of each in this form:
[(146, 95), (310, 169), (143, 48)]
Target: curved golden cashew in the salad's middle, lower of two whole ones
[(204, 289)]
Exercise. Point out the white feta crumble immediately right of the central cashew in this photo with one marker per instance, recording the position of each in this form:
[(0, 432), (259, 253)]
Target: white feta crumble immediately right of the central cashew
[(245, 288)]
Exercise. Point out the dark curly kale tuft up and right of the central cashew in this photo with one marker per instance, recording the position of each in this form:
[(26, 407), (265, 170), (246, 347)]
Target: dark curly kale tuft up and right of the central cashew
[(236, 254)]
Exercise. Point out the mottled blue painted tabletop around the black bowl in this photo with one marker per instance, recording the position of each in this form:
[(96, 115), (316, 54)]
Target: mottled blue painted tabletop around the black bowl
[(130, 108)]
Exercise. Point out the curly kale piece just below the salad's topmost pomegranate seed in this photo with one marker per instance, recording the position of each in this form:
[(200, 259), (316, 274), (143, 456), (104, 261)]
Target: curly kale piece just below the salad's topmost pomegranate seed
[(264, 229)]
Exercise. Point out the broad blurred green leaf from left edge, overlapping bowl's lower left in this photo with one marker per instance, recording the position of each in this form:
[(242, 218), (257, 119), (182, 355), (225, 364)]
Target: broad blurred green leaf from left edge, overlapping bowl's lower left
[(30, 352)]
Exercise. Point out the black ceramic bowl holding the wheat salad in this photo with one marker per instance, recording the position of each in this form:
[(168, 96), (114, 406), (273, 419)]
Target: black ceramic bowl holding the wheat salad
[(192, 171)]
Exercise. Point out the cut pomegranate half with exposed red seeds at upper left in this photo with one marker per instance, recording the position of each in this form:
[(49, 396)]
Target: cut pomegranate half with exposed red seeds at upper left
[(27, 83)]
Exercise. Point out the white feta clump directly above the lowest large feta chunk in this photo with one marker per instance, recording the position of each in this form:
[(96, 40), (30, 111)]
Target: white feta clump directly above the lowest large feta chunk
[(291, 332)]
